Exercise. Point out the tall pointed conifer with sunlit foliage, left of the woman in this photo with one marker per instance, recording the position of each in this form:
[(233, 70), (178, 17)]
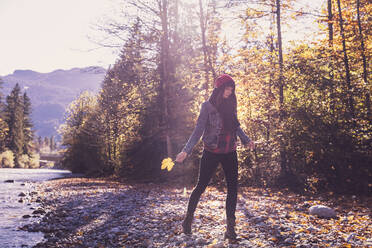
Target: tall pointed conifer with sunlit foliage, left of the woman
[(126, 92)]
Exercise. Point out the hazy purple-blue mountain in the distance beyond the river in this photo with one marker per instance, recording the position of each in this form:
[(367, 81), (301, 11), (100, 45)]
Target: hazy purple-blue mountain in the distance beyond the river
[(52, 92)]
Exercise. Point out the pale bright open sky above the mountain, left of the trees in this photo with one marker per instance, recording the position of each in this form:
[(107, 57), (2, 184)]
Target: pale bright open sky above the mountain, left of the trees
[(45, 35)]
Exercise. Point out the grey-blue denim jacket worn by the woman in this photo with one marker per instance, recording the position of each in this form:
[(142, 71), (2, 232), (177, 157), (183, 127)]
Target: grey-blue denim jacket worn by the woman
[(209, 125)]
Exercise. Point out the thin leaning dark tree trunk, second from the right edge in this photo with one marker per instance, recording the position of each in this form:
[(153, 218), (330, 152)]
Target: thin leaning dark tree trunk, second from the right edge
[(346, 63)]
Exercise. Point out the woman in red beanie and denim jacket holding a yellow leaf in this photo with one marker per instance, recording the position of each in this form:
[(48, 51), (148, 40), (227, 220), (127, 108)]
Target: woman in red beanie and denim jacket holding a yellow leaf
[(220, 127)]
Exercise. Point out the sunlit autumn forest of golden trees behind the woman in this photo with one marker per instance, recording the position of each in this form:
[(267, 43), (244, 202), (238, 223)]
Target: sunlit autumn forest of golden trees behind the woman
[(306, 102)]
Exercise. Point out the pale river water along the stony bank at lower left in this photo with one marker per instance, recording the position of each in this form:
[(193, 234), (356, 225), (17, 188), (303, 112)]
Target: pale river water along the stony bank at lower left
[(12, 211)]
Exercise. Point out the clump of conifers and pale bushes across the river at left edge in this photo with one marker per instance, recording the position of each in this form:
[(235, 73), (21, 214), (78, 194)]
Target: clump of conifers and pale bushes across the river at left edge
[(19, 147)]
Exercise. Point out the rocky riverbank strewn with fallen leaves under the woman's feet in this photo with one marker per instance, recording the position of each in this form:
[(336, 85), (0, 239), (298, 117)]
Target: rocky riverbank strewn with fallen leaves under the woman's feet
[(80, 212)]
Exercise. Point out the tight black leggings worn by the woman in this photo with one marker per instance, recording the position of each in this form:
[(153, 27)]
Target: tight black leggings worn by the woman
[(208, 164)]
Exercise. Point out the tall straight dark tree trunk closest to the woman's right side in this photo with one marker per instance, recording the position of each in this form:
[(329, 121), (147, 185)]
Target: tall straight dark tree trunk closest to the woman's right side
[(283, 163)]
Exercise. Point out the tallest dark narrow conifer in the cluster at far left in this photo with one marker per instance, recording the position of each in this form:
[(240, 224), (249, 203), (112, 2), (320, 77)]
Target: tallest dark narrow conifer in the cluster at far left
[(14, 118)]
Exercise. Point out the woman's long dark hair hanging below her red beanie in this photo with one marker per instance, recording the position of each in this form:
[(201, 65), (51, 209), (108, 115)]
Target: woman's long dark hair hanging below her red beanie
[(227, 108)]
